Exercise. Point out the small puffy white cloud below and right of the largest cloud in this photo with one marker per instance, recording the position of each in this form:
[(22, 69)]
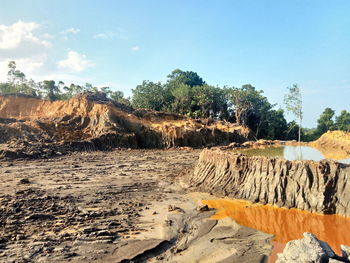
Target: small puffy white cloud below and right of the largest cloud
[(75, 62)]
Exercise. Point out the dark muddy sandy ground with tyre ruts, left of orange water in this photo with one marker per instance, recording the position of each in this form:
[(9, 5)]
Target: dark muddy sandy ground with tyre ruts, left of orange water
[(119, 206)]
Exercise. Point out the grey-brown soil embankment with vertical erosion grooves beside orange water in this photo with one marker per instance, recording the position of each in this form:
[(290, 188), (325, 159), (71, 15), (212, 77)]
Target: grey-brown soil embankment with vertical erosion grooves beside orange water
[(320, 187)]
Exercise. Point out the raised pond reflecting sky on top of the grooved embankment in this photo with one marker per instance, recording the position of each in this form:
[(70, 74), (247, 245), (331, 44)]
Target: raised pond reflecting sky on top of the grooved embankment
[(294, 153)]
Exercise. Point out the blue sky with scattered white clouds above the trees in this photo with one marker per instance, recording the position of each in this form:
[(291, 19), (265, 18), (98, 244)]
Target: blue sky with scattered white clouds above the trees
[(269, 44)]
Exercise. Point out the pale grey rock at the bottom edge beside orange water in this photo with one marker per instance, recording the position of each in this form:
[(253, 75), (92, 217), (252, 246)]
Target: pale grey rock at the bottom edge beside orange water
[(307, 250)]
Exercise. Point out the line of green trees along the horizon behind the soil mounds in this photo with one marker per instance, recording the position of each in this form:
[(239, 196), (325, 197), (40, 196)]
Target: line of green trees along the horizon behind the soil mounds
[(186, 93)]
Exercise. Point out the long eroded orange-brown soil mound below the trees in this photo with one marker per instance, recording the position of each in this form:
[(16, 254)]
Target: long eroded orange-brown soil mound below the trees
[(100, 123)]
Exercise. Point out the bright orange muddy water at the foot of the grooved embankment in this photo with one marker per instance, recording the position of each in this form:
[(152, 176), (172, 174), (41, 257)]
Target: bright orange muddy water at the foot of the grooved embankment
[(284, 224)]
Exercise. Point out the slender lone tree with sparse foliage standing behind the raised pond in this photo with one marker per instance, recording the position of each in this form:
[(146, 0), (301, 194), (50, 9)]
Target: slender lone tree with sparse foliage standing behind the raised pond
[(294, 104)]
